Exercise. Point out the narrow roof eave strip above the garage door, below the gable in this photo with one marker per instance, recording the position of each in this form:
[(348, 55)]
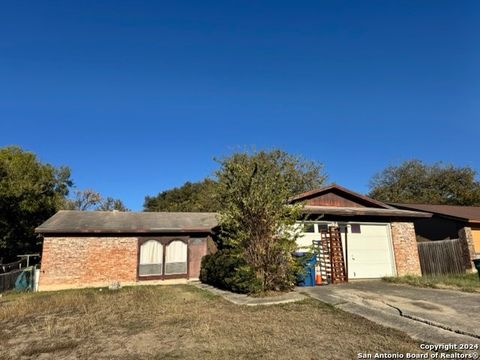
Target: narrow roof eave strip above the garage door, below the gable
[(358, 211)]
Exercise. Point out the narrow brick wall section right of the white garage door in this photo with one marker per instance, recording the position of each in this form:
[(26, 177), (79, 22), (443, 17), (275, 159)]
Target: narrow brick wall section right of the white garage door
[(405, 249)]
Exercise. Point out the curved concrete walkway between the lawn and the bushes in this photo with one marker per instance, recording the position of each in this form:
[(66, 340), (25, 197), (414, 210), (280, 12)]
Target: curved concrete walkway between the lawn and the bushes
[(242, 299)]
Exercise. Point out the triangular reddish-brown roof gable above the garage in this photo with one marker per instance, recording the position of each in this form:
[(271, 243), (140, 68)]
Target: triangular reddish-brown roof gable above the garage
[(338, 196)]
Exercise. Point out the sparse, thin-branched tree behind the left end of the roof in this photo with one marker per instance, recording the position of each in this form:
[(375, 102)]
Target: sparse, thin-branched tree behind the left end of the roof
[(89, 199)]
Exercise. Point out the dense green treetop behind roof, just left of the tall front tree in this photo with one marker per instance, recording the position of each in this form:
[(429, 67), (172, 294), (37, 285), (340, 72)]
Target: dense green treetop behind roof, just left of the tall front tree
[(199, 196)]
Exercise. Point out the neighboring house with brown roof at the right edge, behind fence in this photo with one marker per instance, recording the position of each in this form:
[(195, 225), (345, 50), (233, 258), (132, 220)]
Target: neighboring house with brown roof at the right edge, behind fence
[(449, 222)]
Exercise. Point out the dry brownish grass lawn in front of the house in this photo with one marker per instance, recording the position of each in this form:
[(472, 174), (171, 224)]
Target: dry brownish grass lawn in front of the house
[(181, 322)]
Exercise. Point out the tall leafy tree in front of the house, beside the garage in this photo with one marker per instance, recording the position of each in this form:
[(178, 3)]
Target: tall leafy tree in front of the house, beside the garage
[(255, 218)]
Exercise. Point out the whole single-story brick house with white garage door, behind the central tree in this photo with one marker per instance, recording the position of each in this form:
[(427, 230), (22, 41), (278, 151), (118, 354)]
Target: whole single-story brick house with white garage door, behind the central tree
[(95, 248)]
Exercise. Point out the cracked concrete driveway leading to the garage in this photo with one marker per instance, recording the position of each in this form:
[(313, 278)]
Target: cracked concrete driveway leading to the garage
[(431, 315)]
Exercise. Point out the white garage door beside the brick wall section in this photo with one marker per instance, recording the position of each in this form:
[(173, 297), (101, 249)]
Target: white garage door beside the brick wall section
[(369, 251)]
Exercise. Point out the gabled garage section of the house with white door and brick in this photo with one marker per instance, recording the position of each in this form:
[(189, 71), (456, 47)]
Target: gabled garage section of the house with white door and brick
[(378, 239)]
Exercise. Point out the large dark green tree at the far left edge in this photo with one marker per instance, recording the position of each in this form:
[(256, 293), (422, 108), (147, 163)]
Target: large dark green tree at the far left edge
[(30, 192)]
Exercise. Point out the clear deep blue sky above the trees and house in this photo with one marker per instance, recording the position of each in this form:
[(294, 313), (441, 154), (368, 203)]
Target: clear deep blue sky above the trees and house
[(138, 97)]
